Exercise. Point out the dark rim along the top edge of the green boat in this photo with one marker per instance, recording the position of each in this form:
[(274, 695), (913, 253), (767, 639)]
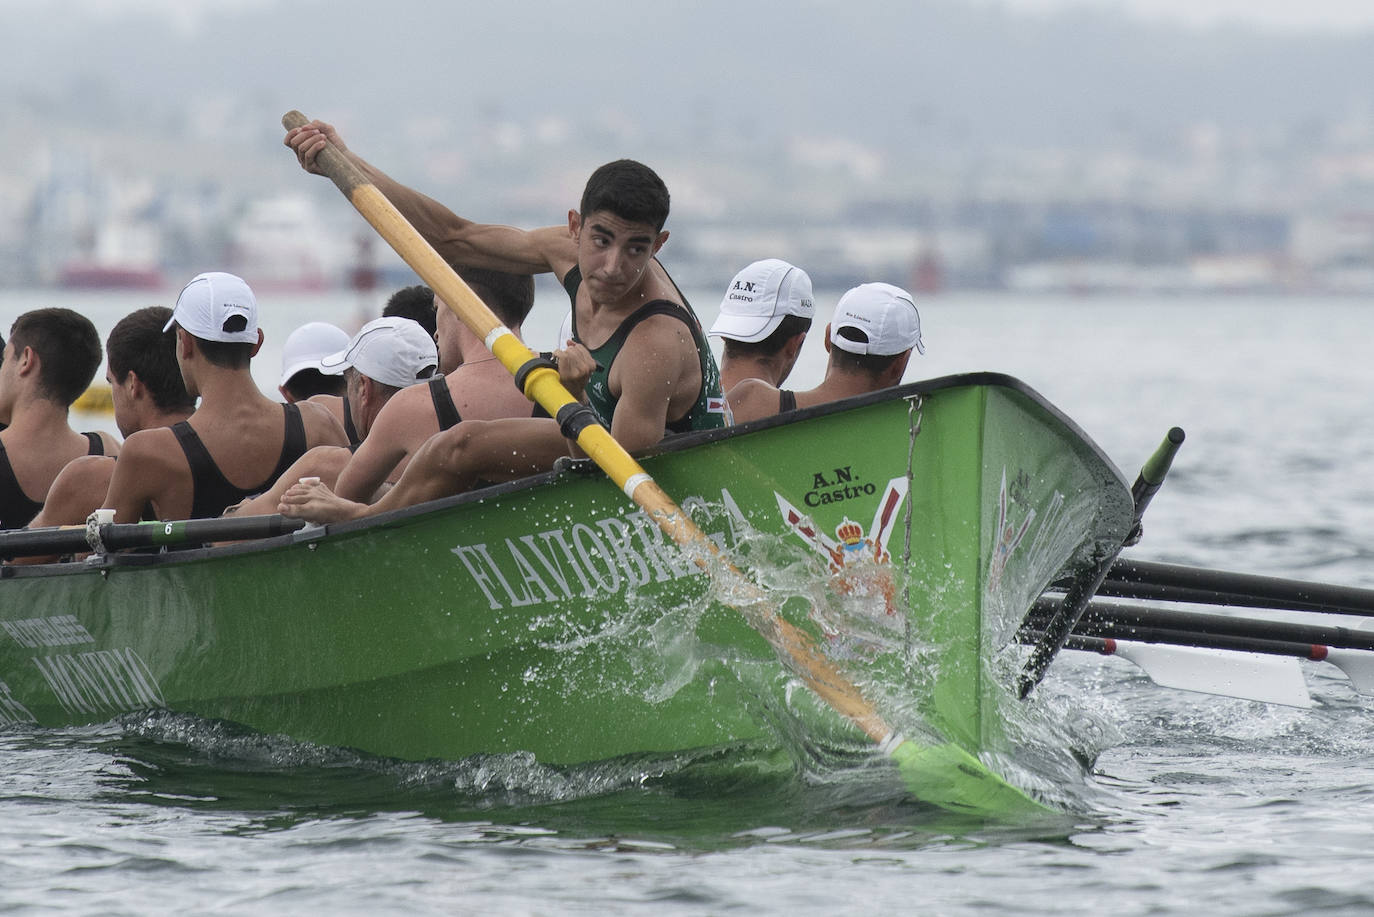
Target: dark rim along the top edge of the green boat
[(668, 446)]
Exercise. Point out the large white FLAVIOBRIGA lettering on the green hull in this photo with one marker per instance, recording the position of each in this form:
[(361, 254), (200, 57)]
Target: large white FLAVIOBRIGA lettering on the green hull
[(601, 557)]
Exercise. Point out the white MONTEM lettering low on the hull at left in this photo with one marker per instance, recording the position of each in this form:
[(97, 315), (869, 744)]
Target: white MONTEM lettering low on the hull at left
[(101, 681)]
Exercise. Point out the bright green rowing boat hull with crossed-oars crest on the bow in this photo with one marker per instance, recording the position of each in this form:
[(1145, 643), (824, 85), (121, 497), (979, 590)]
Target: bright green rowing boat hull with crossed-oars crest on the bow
[(906, 531)]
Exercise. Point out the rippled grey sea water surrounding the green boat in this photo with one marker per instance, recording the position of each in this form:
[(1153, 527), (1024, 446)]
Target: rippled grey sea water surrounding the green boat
[(1188, 804)]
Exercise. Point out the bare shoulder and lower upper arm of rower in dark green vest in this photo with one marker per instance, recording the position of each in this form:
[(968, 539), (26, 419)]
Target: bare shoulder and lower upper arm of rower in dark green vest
[(655, 369)]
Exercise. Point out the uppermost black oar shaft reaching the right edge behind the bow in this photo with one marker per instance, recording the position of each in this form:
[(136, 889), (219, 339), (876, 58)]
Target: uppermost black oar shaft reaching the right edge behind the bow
[(1170, 582)]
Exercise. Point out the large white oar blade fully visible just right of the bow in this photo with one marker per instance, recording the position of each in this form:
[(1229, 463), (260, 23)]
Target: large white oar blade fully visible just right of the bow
[(1273, 680)]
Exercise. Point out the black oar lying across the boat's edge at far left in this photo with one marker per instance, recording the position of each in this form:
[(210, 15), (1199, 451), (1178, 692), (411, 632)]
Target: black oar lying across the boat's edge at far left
[(112, 537)]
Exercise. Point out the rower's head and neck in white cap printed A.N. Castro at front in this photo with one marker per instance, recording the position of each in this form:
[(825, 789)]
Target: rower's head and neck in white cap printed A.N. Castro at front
[(763, 322)]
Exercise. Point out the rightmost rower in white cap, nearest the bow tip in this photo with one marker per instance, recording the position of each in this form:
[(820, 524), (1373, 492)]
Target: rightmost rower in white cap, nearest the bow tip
[(870, 343)]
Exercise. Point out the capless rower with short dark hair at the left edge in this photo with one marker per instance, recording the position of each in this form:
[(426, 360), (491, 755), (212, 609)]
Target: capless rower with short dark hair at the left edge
[(50, 361)]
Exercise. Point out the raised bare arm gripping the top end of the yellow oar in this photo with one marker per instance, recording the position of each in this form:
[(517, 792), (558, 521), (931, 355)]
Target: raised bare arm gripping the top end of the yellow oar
[(458, 240)]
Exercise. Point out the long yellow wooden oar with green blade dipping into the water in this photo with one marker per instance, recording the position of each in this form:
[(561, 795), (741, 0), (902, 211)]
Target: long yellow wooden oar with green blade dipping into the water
[(927, 771)]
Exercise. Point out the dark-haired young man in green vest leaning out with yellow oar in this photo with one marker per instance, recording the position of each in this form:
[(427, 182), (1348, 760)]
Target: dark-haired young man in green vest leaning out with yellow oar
[(649, 368)]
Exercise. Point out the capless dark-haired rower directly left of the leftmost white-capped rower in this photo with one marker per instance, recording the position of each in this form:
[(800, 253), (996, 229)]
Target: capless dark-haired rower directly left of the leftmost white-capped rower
[(148, 393)]
